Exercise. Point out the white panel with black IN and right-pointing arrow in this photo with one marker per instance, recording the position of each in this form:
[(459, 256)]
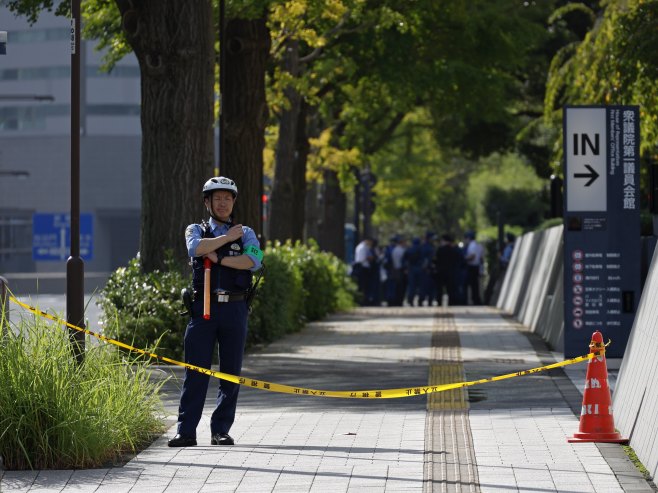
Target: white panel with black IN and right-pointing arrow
[(586, 157)]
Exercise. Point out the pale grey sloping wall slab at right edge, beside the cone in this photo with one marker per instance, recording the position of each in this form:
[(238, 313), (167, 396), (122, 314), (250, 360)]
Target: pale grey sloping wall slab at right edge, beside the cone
[(635, 399)]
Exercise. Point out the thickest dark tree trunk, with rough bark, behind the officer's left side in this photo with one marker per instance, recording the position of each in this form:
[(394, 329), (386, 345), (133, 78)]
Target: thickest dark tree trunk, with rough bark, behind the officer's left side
[(173, 42)]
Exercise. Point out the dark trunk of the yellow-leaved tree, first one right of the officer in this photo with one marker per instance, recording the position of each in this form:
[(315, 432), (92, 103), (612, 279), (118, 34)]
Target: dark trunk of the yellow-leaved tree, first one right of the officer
[(288, 190)]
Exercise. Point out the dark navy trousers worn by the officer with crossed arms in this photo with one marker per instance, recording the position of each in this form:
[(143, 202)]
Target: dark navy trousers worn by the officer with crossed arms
[(228, 327)]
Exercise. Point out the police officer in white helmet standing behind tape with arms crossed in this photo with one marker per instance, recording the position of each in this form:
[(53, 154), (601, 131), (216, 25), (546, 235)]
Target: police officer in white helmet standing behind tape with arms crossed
[(235, 252)]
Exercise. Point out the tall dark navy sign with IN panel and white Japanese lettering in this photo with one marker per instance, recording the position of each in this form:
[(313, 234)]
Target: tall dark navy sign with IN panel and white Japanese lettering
[(601, 225)]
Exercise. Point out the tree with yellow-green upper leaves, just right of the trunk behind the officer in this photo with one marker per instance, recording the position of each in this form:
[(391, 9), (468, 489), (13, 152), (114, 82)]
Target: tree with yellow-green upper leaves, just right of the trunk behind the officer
[(304, 32)]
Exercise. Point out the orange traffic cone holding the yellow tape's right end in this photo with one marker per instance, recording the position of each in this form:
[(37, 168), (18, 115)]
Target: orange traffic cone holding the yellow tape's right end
[(596, 422)]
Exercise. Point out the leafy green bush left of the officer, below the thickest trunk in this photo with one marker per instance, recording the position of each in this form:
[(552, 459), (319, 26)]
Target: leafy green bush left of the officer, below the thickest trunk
[(144, 308)]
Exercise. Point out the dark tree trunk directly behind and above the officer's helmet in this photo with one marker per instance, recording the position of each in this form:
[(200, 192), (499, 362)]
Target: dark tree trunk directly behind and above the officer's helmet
[(245, 115)]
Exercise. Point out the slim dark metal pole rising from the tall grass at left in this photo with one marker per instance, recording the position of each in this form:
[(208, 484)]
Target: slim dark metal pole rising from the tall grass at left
[(75, 264)]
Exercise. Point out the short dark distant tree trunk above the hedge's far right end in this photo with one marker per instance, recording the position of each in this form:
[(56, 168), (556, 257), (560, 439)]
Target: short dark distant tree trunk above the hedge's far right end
[(332, 227)]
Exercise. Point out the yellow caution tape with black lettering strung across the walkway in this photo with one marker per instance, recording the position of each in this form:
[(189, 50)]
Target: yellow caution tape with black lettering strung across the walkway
[(288, 389)]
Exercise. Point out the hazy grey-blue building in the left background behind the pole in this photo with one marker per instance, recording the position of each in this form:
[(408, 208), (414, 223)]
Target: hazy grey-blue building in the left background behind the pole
[(35, 150)]
